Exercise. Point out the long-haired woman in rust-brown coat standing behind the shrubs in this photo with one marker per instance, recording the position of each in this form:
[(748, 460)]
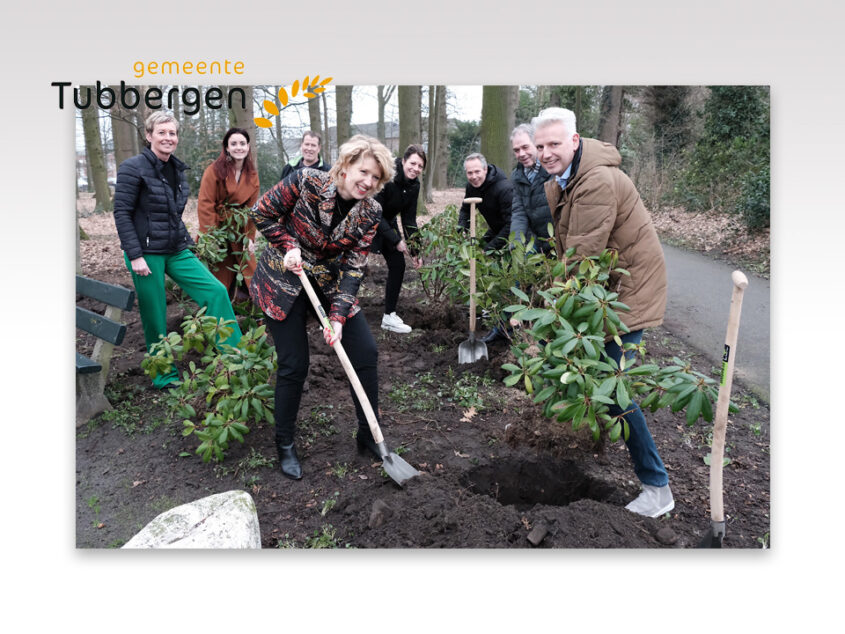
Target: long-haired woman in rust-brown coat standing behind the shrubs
[(231, 181)]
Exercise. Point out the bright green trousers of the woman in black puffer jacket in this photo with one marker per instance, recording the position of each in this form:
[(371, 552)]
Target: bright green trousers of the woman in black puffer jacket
[(192, 277)]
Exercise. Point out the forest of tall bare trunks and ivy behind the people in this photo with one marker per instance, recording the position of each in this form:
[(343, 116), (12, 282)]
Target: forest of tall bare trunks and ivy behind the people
[(687, 148)]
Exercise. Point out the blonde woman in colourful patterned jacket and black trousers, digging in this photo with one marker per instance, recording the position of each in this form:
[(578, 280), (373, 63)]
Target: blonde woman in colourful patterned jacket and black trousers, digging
[(323, 224)]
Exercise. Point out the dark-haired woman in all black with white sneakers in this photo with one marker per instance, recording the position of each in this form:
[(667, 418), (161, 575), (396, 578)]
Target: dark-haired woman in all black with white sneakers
[(399, 198)]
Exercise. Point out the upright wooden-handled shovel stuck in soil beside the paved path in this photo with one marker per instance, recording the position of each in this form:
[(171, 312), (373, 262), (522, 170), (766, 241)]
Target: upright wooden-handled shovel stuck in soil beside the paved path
[(713, 538)]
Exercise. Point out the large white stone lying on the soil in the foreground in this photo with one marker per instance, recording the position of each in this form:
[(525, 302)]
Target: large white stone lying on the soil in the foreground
[(224, 520)]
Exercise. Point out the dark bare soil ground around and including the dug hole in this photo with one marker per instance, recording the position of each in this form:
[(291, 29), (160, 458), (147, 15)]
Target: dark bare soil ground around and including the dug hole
[(494, 472)]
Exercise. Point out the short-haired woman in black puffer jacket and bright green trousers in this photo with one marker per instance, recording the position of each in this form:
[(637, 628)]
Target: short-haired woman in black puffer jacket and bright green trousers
[(149, 199)]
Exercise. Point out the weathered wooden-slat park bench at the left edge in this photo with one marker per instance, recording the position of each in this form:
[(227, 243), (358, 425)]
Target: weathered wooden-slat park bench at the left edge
[(91, 372)]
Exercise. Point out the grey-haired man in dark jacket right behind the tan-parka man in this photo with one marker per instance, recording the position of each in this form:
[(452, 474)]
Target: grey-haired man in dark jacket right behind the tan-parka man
[(530, 217)]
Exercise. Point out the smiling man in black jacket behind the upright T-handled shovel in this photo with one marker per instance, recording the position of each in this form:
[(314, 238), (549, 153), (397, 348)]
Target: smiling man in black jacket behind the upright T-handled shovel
[(488, 182)]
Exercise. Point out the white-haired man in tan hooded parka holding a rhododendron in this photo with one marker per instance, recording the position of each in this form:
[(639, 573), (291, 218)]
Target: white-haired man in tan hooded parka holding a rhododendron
[(595, 206)]
